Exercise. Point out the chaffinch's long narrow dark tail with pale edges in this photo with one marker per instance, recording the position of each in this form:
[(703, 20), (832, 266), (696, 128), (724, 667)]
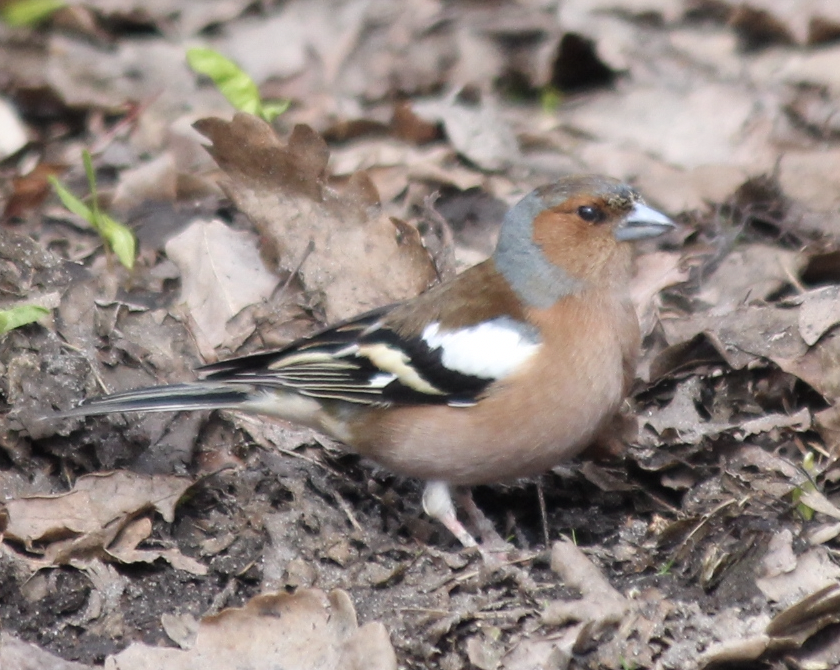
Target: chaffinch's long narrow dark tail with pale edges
[(172, 398)]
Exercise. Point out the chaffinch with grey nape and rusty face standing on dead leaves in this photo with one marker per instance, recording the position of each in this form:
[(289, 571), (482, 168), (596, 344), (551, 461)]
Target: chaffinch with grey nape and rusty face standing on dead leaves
[(500, 373)]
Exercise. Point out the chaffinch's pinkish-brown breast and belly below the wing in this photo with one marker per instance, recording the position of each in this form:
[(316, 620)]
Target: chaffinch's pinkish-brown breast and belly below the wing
[(527, 423)]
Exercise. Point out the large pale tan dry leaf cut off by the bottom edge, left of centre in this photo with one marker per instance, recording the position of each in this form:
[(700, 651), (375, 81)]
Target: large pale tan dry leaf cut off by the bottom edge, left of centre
[(306, 630)]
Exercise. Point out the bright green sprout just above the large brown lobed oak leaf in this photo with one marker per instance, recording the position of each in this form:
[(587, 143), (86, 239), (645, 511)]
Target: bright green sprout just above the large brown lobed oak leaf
[(233, 83)]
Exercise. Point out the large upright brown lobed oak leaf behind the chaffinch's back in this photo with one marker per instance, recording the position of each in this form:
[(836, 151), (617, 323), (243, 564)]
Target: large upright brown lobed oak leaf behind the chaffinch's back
[(344, 247)]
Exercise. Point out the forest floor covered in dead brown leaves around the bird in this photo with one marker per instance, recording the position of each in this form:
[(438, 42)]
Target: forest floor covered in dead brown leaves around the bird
[(709, 536)]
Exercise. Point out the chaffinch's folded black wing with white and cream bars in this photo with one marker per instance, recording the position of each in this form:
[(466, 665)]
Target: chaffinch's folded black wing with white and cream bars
[(366, 361)]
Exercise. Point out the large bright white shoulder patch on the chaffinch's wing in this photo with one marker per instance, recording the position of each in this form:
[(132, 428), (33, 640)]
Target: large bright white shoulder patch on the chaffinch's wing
[(490, 350)]
